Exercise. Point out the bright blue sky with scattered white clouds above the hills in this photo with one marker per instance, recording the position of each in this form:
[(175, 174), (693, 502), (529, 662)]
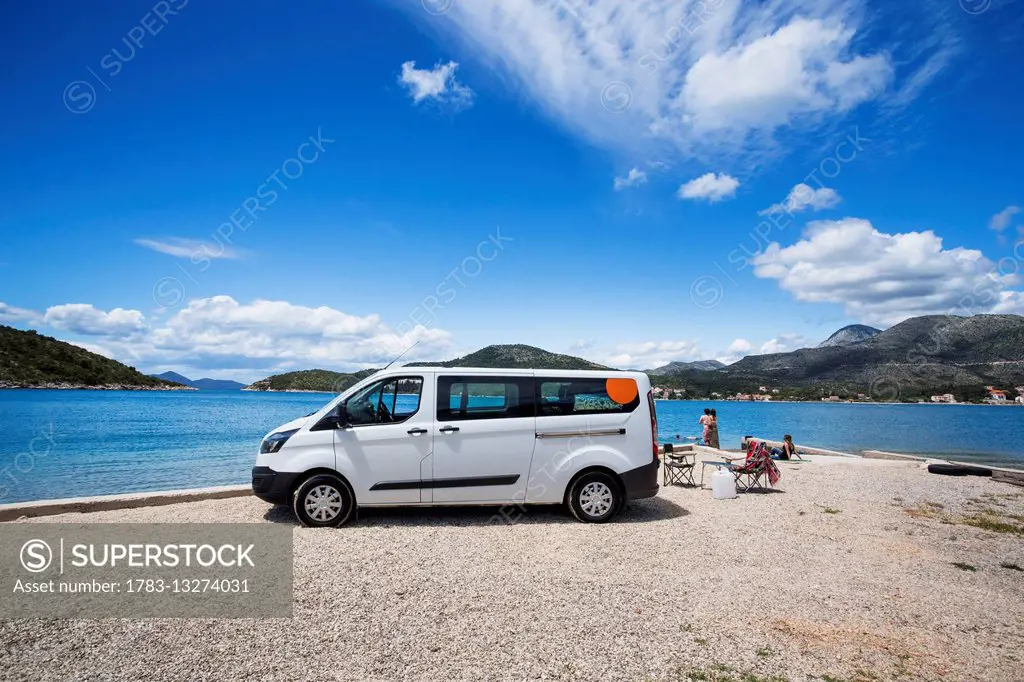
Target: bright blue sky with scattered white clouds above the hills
[(239, 190)]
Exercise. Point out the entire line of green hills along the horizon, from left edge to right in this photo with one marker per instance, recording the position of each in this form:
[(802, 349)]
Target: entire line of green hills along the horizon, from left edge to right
[(922, 356)]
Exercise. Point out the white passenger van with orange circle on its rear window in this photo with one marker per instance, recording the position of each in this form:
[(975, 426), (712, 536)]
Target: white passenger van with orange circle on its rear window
[(433, 437)]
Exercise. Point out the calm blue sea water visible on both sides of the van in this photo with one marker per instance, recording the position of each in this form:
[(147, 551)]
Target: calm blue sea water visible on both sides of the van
[(72, 444)]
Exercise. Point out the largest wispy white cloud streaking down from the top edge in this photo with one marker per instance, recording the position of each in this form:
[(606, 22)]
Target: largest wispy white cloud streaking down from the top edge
[(699, 76)]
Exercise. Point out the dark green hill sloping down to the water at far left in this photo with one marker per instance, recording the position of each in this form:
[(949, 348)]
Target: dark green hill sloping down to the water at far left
[(31, 360)]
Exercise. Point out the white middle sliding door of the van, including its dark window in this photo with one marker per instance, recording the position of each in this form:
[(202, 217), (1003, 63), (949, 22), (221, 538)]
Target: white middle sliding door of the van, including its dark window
[(485, 438)]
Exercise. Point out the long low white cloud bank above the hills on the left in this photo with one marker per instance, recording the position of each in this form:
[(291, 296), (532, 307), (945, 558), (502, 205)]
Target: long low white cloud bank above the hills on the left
[(245, 340)]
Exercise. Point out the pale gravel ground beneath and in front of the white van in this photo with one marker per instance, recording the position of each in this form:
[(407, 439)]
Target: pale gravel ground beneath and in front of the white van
[(859, 570)]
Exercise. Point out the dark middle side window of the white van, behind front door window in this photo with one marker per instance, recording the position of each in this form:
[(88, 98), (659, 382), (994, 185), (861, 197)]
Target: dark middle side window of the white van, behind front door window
[(485, 398)]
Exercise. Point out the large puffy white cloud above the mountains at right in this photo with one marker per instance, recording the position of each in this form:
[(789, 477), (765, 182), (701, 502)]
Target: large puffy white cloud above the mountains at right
[(884, 279)]
